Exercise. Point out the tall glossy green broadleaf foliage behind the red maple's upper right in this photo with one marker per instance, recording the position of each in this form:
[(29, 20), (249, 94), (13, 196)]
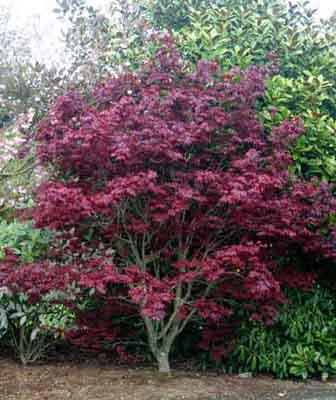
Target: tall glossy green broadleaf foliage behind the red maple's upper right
[(244, 32)]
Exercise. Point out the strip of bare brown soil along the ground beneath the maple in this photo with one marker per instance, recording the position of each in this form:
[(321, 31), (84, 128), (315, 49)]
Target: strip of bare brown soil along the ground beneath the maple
[(92, 381)]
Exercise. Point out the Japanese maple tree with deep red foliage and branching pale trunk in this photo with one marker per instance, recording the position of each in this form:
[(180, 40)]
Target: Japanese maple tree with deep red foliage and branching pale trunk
[(175, 201)]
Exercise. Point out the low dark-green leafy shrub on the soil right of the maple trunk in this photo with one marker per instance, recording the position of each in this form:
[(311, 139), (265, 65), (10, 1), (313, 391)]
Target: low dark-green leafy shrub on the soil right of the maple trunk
[(301, 344)]
